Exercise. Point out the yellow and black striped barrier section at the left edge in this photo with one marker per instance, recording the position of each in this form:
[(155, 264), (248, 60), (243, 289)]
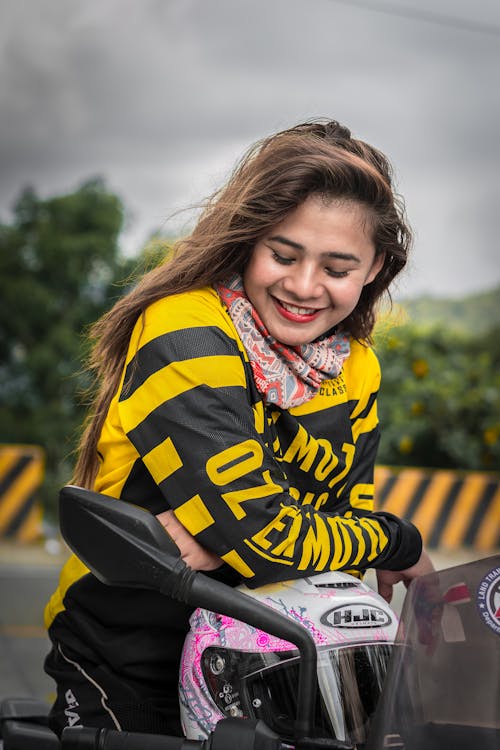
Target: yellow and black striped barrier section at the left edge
[(21, 474)]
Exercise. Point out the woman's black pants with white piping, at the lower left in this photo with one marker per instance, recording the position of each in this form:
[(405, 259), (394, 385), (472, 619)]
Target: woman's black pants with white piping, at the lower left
[(90, 695)]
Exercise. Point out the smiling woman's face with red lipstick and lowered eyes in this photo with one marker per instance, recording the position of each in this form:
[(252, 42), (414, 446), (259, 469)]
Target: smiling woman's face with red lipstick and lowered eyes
[(306, 275)]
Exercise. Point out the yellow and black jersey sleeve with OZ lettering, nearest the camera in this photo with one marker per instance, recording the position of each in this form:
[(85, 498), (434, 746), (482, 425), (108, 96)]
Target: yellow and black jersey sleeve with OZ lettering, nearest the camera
[(185, 406)]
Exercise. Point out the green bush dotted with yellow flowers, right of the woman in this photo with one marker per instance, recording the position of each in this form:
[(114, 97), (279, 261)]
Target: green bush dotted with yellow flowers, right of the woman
[(439, 402)]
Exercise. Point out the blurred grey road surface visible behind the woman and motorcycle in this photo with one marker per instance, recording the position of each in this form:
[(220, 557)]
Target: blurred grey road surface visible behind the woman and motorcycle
[(28, 575)]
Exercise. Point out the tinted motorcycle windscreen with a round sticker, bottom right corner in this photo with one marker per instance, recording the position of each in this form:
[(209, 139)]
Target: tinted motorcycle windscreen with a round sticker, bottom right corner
[(443, 683)]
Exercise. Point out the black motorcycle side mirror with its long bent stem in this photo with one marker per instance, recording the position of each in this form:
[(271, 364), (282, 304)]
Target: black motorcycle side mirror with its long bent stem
[(125, 545)]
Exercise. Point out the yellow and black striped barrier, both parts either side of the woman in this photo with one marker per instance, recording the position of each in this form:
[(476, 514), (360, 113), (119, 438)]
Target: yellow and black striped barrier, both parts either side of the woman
[(452, 509)]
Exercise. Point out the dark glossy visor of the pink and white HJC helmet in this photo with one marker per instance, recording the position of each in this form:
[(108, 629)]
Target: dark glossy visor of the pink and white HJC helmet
[(264, 686)]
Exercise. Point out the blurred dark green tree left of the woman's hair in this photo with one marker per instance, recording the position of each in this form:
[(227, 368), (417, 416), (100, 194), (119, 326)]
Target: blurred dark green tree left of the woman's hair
[(59, 266)]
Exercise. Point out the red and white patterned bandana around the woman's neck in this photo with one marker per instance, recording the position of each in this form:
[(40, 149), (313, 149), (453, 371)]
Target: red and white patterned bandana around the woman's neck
[(285, 376)]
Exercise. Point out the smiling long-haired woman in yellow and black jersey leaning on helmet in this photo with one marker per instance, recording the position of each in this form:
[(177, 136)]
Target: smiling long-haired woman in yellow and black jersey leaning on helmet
[(238, 403)]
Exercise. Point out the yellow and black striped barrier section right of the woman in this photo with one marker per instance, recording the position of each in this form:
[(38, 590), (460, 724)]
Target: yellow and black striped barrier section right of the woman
[(452, 509)]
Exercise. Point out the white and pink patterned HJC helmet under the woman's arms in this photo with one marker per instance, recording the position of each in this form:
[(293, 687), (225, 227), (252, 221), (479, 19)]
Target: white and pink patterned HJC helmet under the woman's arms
[(229, 668)]
